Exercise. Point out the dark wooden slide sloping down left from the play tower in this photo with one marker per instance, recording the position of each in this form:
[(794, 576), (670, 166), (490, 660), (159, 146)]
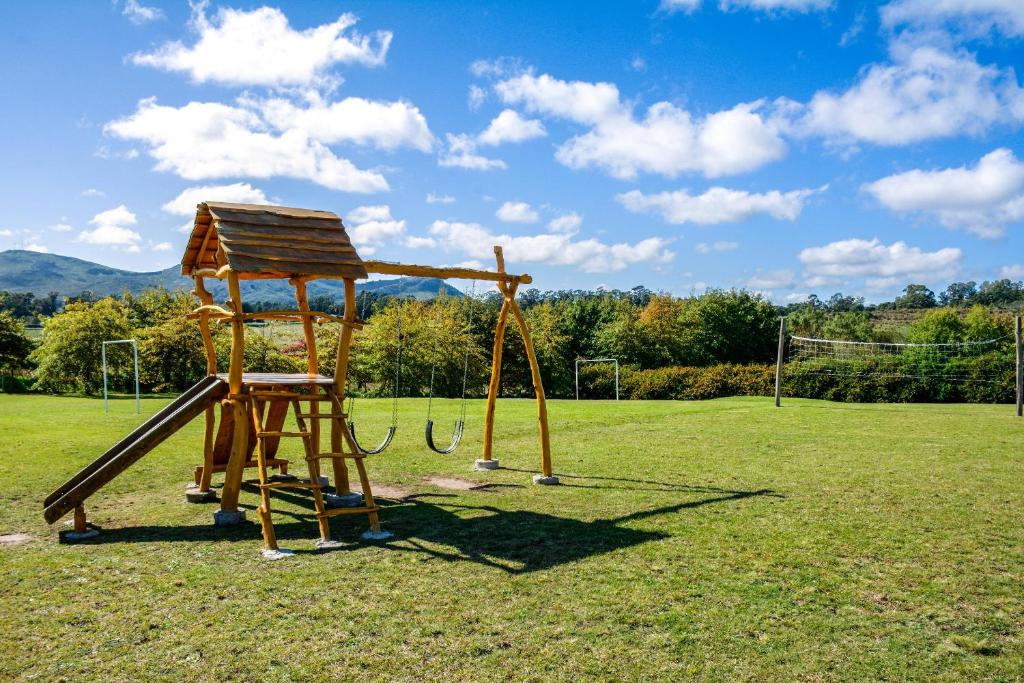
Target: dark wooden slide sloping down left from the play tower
[(130, 450)]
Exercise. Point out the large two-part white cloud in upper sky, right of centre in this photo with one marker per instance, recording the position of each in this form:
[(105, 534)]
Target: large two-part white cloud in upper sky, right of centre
[(666, 142)]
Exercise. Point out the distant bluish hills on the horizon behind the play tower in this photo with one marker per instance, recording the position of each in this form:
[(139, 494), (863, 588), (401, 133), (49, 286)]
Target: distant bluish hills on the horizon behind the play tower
[(41, 274)]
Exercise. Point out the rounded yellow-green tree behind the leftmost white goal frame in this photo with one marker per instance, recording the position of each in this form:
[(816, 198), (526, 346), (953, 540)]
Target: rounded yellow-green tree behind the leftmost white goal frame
[(69, 355)]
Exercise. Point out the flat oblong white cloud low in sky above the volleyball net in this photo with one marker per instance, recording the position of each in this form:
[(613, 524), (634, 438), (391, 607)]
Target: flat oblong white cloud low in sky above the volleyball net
[(873, 260)]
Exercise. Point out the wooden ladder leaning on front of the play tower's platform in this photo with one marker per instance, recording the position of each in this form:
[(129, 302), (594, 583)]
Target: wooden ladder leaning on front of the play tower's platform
[(314, 456)]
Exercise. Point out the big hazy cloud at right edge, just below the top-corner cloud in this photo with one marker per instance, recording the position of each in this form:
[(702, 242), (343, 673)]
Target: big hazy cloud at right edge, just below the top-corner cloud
[(923, 94)]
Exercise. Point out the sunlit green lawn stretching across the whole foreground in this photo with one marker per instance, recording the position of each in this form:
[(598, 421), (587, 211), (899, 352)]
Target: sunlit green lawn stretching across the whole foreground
[(722, 540)]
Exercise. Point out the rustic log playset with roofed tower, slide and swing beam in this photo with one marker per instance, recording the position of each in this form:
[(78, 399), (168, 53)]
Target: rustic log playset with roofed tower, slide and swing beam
[(235, 243)]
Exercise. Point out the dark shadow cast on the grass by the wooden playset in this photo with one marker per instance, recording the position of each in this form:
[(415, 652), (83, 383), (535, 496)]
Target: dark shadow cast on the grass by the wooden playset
[(513, 541)]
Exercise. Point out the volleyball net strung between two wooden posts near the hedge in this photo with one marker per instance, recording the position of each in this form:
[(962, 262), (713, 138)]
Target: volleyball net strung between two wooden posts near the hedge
[(987, 371)]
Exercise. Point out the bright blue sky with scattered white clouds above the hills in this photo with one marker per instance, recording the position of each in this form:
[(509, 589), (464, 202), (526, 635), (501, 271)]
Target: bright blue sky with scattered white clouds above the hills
[(788, 147)]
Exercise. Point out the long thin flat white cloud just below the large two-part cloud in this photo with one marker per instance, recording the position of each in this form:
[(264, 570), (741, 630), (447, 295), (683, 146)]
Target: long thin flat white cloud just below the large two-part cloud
[(718, 205)]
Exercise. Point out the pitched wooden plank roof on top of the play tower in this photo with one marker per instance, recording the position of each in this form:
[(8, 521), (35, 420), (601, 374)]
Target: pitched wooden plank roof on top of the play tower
[(263, 242)]
